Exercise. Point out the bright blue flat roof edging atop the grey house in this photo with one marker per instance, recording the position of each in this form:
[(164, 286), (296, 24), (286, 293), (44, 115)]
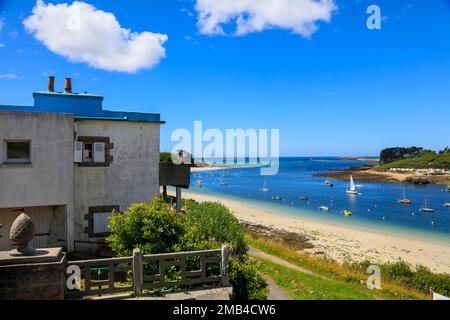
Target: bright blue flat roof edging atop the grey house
[(82, 105)]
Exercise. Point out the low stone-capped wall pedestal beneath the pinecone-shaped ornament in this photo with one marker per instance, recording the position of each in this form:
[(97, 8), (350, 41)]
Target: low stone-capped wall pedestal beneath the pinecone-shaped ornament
[(38, 277)]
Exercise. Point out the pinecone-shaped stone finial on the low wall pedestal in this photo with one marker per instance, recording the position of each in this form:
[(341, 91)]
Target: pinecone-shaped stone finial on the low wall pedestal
[(21, 233)]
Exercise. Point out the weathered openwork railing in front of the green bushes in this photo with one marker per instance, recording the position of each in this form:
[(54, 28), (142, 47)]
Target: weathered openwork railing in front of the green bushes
[(169, 270)]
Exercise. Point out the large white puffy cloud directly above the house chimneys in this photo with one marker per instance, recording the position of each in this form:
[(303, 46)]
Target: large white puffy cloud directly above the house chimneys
[(81, 33)]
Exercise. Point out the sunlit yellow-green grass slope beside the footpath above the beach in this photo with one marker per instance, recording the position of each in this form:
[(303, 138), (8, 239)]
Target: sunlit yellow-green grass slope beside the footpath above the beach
[(344, 281)]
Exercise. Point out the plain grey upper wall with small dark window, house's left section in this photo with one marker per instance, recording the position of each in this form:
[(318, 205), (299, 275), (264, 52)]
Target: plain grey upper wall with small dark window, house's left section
[(48, 181)]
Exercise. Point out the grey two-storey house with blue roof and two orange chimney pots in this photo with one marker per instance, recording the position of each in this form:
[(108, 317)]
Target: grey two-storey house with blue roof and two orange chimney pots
[(68, 163)]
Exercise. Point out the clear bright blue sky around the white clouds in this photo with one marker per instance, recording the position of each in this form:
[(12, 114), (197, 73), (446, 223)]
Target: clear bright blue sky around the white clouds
[(342, 90)]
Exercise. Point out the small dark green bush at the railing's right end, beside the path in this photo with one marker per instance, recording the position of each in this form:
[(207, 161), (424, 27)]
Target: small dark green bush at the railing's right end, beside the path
[(247, 283)]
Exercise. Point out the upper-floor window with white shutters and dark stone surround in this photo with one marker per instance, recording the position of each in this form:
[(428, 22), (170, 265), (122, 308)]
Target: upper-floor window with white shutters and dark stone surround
[(93, 152)]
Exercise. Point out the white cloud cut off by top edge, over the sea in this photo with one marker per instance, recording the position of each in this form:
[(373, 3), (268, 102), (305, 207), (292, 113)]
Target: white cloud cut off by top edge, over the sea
[(299, 16)]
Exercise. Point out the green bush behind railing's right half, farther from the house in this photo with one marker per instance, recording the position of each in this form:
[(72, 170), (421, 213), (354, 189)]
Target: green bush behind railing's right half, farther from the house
[(212, 223)]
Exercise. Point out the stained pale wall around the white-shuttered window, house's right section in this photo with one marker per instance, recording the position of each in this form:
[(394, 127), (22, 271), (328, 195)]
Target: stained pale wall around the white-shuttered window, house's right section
[(133, 175)]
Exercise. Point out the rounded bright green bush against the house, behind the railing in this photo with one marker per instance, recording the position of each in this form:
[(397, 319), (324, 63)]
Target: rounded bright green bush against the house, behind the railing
[(153, 228)]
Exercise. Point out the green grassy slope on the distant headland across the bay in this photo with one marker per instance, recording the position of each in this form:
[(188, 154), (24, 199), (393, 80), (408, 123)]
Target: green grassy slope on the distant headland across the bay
[(423, 161)]
